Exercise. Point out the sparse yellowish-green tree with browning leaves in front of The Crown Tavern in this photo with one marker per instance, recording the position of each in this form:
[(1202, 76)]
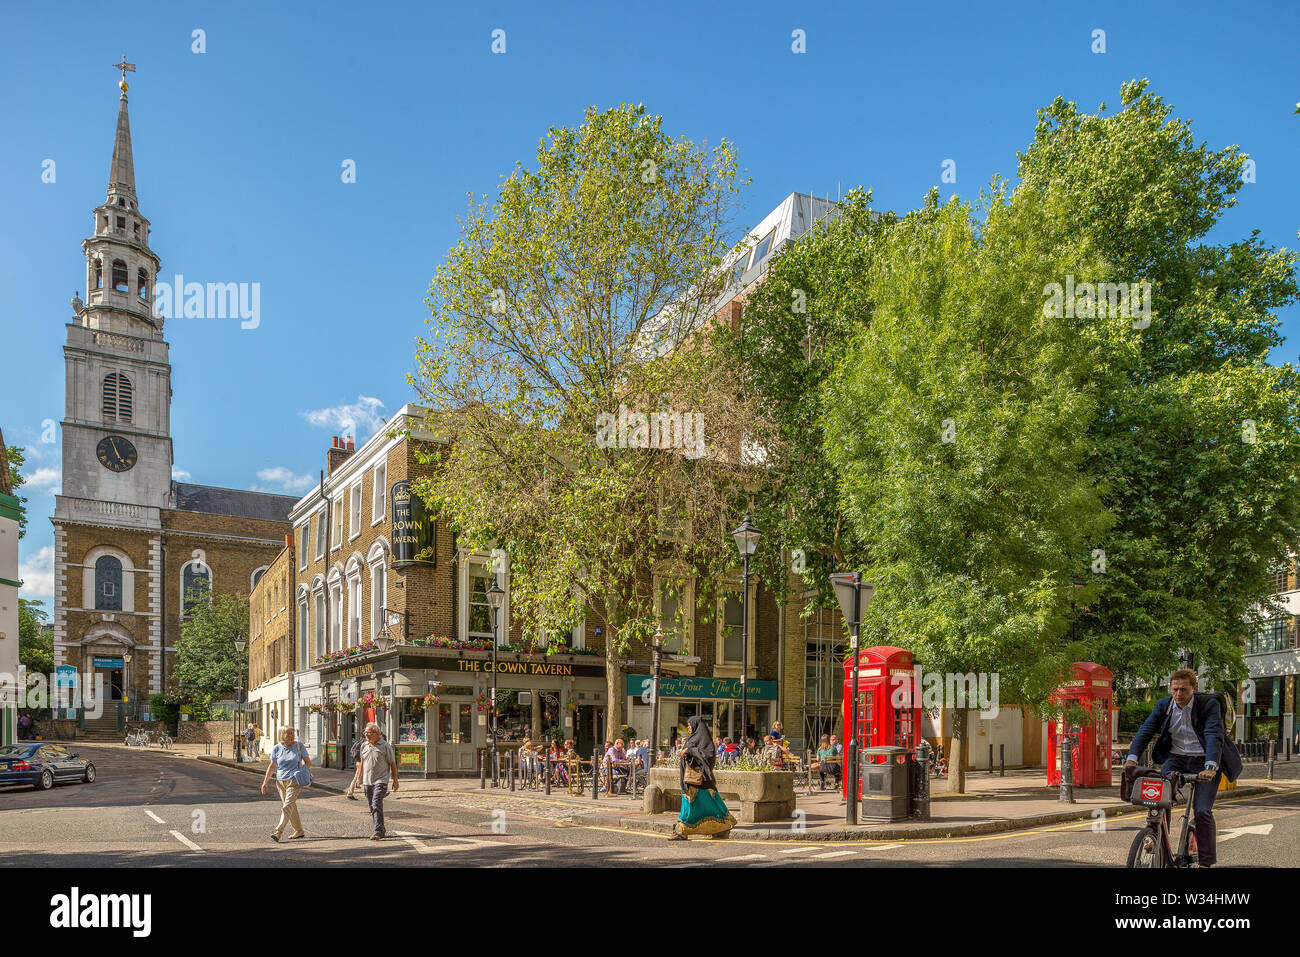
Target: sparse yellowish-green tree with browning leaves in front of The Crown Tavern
[(580, 292)]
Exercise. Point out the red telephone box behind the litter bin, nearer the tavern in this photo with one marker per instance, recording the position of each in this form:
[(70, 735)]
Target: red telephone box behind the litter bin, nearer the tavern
[(889, 704)]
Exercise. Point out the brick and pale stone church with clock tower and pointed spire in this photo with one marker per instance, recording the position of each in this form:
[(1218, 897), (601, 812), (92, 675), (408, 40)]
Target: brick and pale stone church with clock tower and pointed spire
[(132, 544)]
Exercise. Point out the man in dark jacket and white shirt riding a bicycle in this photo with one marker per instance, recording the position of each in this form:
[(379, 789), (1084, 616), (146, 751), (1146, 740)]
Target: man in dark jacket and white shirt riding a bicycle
[(1190, 738)]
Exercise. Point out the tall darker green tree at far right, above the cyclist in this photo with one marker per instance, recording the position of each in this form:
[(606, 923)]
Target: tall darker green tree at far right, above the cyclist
[(1201, 440)]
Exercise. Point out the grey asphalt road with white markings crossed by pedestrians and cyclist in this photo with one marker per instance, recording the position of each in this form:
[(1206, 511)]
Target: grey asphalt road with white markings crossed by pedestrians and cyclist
[(154, 809)]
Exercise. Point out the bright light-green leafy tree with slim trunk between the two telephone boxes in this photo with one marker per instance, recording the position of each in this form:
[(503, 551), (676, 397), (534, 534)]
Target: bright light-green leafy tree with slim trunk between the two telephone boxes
[(957, 422)]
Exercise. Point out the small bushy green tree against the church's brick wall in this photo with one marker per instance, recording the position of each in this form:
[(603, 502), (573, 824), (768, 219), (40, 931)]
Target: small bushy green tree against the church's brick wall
[(206, 659)]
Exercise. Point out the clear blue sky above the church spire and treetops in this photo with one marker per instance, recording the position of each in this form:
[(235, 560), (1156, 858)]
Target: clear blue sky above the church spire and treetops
[(239, 155)]
